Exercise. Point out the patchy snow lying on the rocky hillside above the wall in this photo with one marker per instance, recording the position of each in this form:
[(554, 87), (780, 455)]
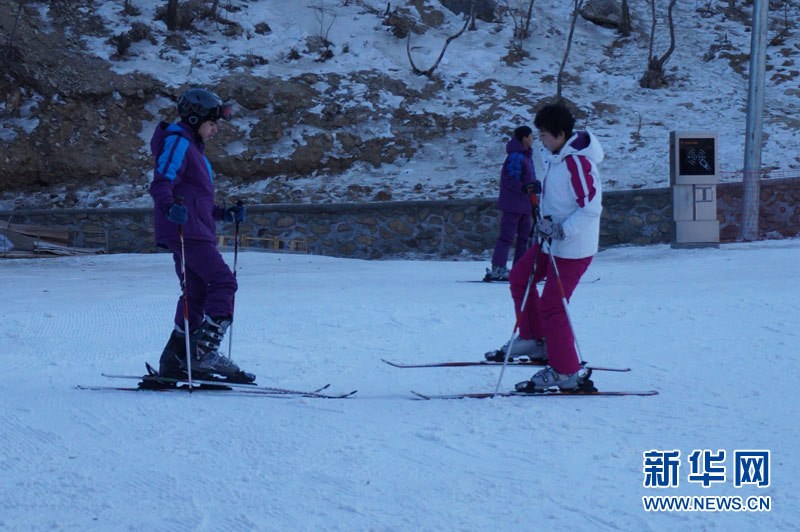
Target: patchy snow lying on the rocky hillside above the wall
[(603, 71)]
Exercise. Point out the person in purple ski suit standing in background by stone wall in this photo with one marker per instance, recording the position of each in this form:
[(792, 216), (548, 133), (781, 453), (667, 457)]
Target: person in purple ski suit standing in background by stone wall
[(517, 183)]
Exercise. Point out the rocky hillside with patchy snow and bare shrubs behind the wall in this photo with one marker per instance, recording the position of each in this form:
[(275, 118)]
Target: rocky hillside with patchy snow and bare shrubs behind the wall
[(336, 112)]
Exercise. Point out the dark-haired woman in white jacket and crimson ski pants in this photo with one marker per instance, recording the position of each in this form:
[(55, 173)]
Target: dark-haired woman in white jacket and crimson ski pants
[(570, 206)]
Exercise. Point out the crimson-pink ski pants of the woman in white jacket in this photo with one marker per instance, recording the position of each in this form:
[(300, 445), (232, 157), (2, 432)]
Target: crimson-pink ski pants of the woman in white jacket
[(544, 316)]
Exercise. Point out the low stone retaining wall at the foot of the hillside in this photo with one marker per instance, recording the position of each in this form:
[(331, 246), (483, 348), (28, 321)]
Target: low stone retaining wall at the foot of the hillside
[(425, 228)]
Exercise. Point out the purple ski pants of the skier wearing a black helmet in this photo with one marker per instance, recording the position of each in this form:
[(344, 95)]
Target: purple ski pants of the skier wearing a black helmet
[(210, 284)]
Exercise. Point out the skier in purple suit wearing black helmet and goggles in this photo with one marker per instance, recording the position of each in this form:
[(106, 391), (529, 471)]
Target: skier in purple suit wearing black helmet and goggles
[(183, 197)]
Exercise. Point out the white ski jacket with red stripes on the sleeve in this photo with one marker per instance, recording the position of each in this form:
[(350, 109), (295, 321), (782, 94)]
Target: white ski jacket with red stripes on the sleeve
[(572, 195)]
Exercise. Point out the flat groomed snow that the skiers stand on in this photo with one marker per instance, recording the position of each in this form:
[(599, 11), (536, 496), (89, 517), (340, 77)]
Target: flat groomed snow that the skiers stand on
[(715, 331)]
